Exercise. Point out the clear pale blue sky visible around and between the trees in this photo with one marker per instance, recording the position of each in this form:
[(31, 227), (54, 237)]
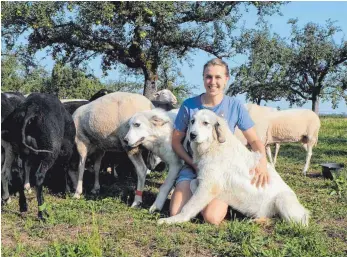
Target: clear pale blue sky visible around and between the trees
[(317, 12)]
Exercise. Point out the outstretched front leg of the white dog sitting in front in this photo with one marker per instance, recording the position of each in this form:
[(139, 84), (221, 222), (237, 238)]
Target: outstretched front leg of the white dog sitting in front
[(203, 195)]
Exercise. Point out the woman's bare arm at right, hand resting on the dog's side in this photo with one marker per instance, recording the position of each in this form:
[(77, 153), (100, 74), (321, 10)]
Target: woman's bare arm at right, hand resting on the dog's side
[(261, 176)]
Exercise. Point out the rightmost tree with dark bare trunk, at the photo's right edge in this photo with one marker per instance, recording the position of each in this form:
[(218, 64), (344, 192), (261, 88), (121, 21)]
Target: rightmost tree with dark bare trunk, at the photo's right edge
[(316, 64)]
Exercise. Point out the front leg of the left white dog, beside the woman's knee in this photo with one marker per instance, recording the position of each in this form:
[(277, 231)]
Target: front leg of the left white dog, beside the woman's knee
[(165, 188)]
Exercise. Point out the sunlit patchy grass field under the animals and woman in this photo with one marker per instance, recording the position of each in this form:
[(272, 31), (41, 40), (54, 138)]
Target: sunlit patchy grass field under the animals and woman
[(107, 226)]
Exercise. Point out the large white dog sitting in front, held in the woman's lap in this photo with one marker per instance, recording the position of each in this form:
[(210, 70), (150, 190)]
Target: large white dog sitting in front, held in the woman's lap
[(224, 165)]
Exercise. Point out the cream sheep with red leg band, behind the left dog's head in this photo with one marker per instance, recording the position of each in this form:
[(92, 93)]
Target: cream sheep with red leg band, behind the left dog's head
[(101, 126)]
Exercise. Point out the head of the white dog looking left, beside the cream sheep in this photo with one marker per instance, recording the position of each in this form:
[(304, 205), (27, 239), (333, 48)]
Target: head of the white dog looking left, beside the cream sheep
[(144, 125)]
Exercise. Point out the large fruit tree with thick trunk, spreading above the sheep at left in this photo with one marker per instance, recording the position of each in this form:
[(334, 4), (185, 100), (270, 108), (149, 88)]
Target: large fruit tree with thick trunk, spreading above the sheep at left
[(138, 34)]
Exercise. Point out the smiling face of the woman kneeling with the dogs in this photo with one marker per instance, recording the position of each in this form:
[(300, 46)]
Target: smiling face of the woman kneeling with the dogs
[(215, 80)]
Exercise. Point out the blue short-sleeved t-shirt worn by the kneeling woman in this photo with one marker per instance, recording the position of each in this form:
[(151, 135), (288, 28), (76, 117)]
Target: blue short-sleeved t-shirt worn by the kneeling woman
[(230, 109)]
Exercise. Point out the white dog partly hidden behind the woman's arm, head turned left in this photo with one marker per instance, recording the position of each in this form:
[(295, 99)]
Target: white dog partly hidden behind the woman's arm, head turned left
[(153, 129)]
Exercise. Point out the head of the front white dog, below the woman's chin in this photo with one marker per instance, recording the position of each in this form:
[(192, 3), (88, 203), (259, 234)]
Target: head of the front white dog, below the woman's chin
[(206, 126)]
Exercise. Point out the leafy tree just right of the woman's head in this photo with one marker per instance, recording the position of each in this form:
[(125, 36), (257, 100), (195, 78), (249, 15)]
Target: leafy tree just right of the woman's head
[(260, 78)]
